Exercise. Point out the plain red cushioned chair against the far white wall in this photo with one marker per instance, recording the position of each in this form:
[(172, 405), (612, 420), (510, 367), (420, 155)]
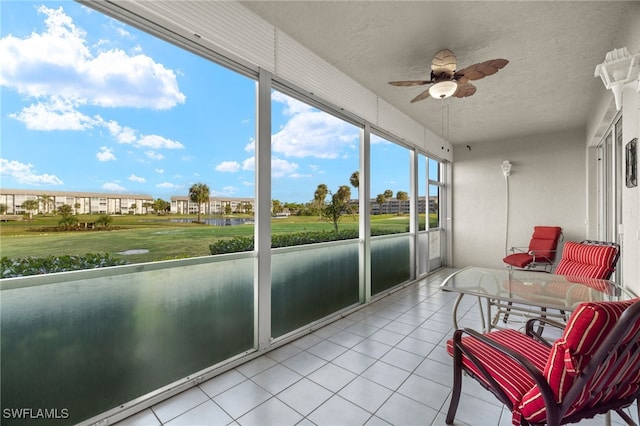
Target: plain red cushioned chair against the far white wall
[(541, 251)]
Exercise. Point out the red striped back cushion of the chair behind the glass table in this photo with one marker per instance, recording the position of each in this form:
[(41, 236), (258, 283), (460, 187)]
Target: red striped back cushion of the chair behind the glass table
[(586, 260)]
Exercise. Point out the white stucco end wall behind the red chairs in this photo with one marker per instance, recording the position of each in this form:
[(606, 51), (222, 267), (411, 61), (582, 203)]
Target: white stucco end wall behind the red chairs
[(546, 187)]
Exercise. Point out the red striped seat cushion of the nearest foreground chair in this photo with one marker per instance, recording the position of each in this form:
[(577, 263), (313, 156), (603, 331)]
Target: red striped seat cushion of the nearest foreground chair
[(511, 377)]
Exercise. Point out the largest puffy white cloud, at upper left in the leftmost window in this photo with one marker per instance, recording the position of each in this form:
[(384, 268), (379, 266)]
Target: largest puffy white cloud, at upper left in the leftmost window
[(70, 70)]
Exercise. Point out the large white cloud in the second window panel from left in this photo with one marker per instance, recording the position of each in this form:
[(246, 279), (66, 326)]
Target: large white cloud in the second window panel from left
[(312, 133)]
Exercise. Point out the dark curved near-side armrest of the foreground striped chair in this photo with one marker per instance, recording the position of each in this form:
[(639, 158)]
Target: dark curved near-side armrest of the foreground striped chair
[(532, 371)]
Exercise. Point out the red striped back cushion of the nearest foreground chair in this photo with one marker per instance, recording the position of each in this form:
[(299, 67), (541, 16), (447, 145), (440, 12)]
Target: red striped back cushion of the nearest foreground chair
[(584, 333)]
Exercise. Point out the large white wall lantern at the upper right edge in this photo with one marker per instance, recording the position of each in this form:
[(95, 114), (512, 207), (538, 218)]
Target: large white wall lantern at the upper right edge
[(619, 68)]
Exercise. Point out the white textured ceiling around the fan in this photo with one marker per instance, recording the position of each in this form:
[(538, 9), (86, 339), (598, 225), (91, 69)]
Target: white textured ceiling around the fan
[(552, 48)]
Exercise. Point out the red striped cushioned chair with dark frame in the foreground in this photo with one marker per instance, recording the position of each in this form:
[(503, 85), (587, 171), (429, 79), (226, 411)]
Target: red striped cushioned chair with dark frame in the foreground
[(593, 368)]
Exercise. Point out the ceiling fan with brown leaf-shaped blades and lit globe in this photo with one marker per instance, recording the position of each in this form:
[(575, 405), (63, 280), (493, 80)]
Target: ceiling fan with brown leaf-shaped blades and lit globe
[(447, 81)]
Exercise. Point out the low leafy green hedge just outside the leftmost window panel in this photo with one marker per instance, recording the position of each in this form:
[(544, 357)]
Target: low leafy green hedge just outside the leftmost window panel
[(44, 265)]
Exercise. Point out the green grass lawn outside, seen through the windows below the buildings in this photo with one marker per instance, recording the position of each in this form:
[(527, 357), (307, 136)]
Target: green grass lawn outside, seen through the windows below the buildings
[(164, 240)]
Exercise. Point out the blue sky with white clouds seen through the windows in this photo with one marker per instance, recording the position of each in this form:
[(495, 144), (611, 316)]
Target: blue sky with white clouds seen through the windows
[(91, 104)]
